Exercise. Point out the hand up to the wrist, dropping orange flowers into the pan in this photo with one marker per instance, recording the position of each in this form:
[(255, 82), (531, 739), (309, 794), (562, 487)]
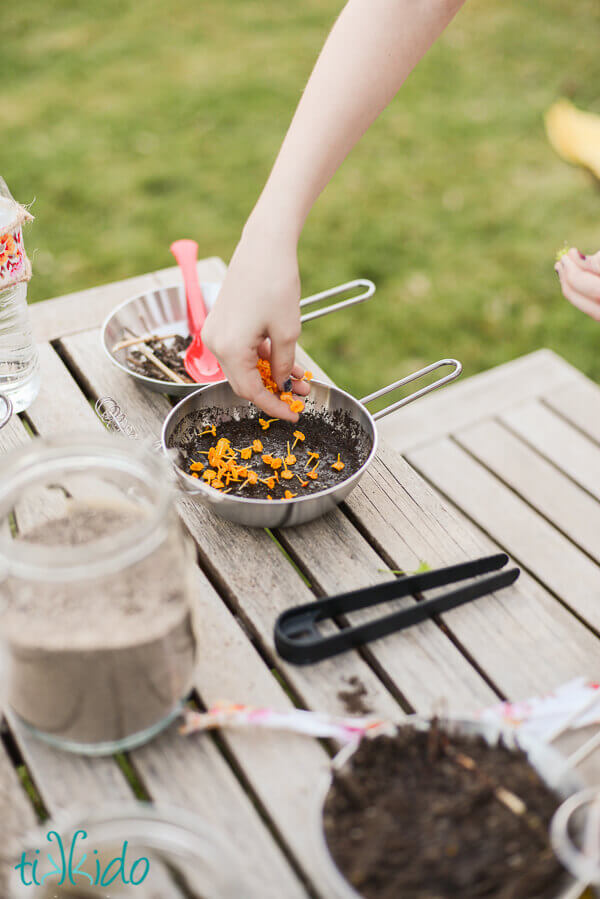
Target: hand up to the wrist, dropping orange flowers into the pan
[(256, 314)]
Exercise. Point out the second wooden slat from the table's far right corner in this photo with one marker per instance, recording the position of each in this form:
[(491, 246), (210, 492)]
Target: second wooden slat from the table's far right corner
[(558, 441)]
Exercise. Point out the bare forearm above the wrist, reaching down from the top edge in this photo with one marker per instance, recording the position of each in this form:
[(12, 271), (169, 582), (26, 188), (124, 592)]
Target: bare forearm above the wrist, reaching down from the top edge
[(370, 51)]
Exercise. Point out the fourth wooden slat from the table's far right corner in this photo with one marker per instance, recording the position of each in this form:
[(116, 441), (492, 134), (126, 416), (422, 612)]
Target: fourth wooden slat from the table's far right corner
[(529, 538)]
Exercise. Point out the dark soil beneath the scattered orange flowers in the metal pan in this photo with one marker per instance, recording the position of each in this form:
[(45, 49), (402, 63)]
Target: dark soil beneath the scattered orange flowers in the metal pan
[(326, 433)]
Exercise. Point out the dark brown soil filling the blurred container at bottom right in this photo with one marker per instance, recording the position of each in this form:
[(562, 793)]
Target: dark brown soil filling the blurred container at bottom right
[(404, 819)]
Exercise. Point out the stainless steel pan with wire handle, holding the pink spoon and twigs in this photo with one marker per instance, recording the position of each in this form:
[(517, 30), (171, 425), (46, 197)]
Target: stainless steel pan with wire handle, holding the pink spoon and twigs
[(163, 311)]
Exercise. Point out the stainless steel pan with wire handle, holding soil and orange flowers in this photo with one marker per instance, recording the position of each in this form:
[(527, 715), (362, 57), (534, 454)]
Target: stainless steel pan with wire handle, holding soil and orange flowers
[(323, 398)]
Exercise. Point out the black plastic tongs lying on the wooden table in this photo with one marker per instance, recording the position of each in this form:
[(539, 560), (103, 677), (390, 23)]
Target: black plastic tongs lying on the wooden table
[(297, 636)]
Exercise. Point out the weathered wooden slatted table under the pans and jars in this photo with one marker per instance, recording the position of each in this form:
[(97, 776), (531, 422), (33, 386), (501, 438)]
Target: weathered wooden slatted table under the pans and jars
[(510, 458)]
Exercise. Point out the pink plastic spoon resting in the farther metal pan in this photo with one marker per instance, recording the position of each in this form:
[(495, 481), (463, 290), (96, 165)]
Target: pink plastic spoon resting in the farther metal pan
[(200, 364)]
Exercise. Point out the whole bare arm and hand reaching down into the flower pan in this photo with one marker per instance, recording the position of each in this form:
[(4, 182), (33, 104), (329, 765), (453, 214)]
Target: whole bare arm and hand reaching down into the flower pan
[(370, 51)]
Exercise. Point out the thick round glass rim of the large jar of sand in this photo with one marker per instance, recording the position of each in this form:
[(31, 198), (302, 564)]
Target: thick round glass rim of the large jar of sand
[(78, 453)]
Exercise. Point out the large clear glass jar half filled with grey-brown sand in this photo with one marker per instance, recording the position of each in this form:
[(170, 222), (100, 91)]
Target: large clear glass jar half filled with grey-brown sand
[(97, 617)]
